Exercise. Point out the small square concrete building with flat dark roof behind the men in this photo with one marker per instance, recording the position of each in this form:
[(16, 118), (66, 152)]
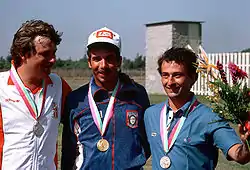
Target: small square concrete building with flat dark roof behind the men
[(161, 36)]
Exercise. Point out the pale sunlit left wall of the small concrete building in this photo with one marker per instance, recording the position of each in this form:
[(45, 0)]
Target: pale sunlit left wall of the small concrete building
[(158, 40)]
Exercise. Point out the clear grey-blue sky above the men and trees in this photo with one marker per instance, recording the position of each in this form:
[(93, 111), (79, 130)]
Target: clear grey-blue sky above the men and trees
[(226, 27)]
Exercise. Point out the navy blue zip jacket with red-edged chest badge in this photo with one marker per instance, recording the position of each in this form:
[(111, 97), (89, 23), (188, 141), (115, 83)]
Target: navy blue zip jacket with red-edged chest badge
[(129, 148)]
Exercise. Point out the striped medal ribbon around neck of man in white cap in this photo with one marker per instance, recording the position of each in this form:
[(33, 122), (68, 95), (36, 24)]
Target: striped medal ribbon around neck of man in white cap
[(109, 111)]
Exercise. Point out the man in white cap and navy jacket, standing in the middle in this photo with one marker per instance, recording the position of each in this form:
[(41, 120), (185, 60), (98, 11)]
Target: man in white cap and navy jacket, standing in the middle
[(105, 128)]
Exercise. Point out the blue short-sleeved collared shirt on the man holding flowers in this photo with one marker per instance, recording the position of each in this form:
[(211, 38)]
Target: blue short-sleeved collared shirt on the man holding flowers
[(196, 145)]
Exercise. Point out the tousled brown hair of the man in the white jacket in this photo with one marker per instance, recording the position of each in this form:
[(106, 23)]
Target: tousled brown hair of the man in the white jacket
[(23, 41)]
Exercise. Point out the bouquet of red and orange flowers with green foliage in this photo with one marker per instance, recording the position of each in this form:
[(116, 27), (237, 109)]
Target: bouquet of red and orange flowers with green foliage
[(231, 102)]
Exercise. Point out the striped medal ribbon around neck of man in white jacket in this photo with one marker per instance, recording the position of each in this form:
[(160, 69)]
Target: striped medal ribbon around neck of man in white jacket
[(29, 102)]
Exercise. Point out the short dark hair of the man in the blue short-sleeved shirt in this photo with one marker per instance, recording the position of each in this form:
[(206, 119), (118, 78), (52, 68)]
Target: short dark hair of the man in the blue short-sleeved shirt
[(180, 55)]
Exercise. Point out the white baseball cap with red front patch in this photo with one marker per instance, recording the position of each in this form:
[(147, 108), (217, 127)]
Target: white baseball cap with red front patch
[(105, 35)]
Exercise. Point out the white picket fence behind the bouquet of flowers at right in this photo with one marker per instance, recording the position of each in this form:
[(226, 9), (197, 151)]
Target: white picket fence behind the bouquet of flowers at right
[(240, 59)]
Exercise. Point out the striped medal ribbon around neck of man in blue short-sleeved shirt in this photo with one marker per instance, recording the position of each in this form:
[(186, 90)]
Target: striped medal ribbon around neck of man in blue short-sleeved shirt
[(165, 127)]
